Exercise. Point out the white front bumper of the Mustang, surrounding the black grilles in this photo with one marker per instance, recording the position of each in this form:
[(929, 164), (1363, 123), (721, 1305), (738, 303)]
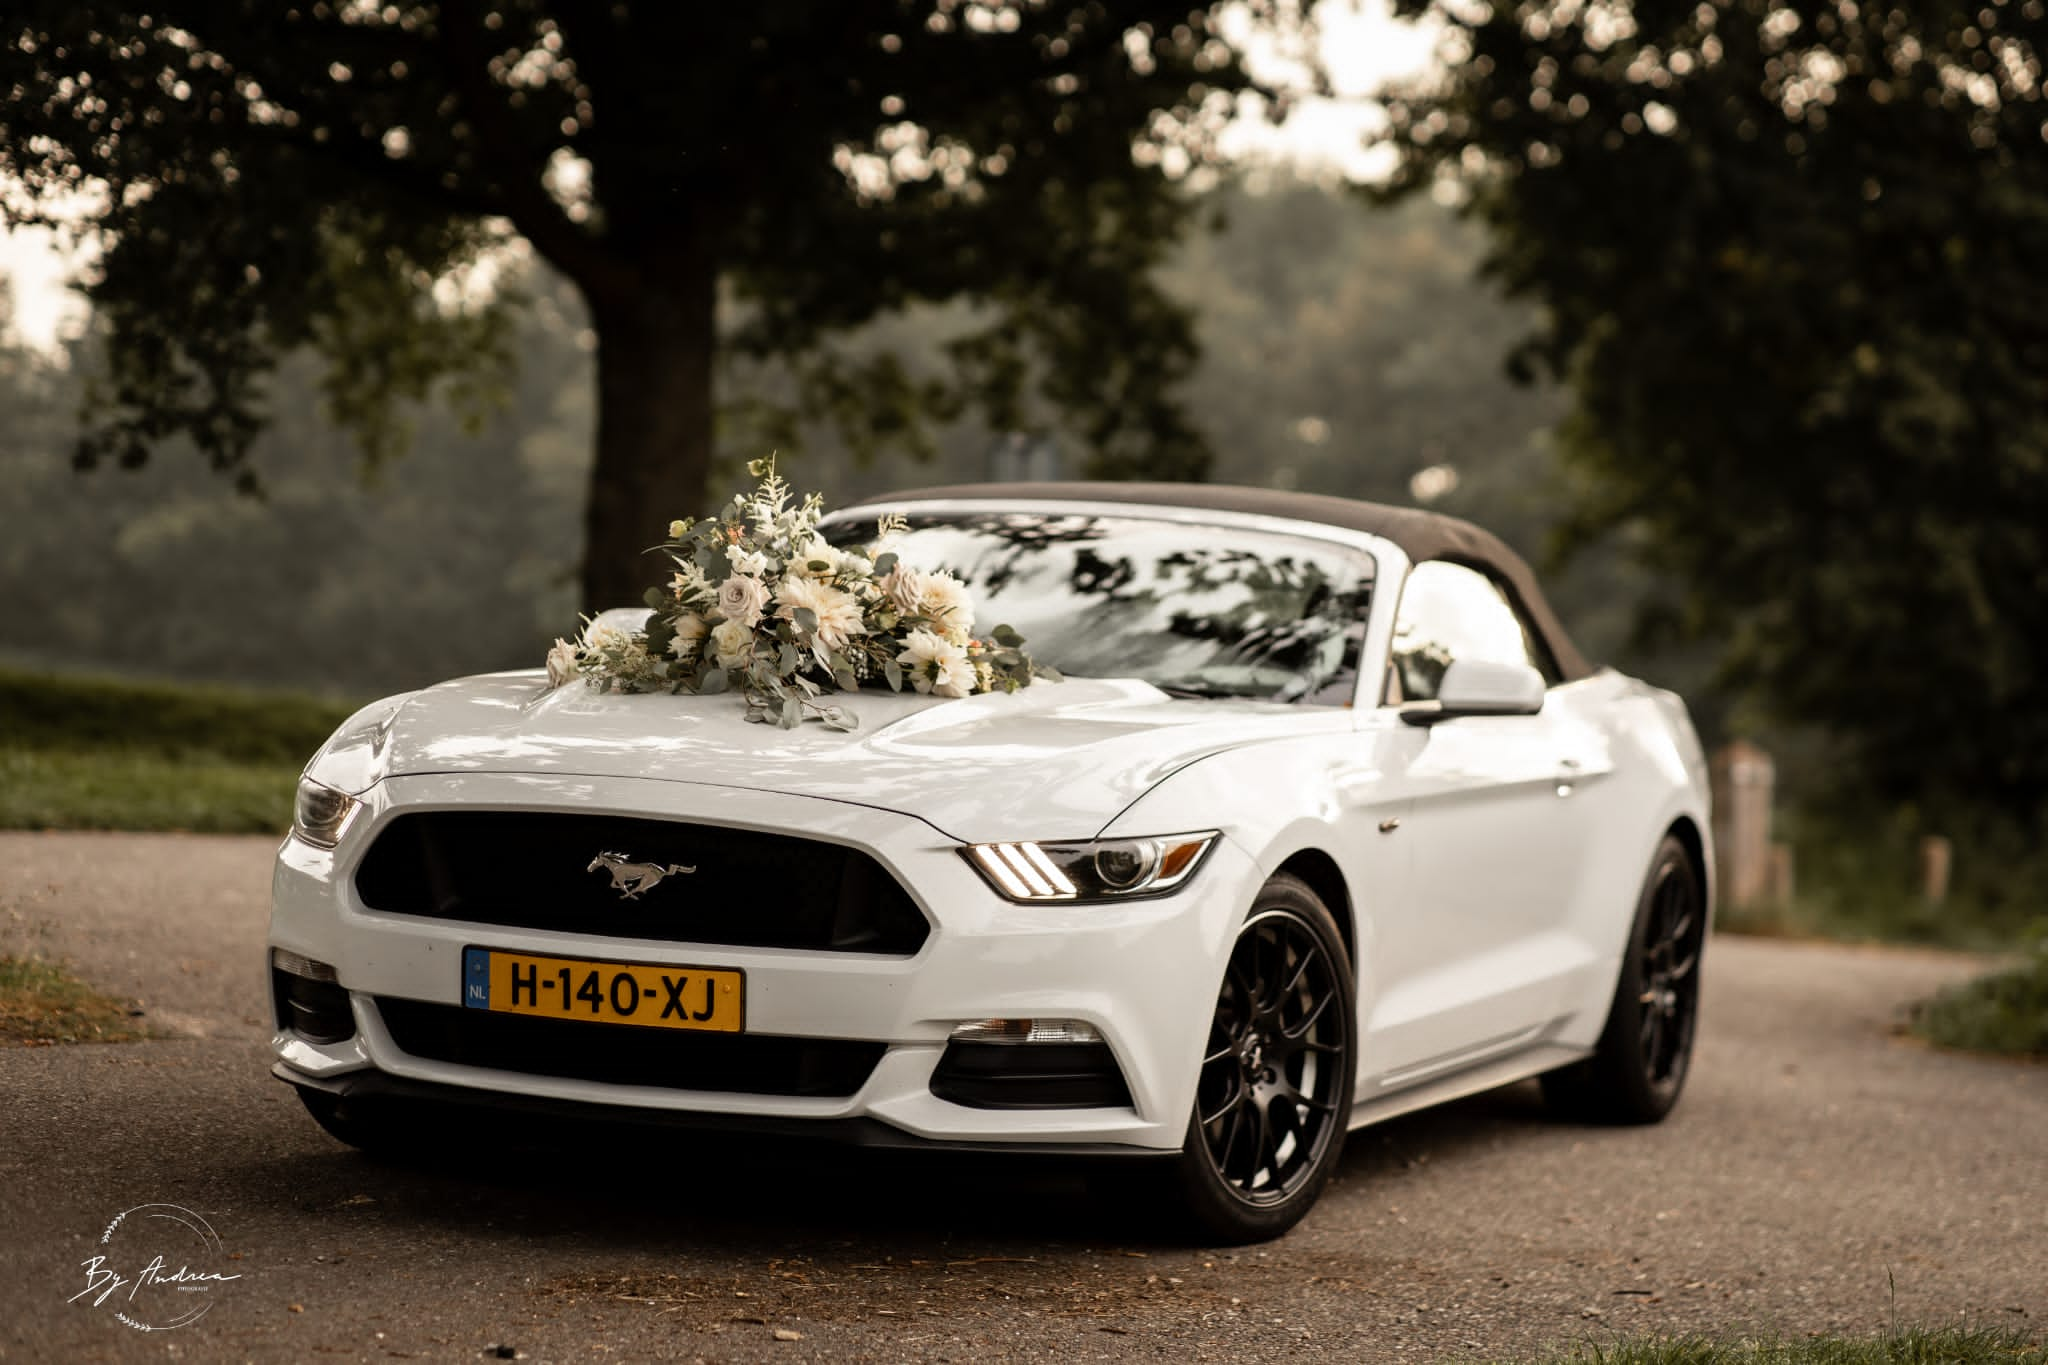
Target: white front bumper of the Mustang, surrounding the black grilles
[(1142, 973)]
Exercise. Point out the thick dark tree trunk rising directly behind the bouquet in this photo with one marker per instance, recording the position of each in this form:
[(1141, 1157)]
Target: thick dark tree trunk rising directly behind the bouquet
[(654, 425)]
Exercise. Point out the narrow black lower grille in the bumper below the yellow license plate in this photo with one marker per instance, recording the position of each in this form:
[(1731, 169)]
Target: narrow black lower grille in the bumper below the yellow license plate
[(630, 1055)]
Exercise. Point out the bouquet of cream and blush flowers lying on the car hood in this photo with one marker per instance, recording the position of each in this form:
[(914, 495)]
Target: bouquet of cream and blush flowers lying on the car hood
[(761, 605)]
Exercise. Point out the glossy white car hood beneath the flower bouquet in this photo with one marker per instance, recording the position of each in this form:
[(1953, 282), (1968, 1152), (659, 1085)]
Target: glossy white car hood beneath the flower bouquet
[(1050, 762)]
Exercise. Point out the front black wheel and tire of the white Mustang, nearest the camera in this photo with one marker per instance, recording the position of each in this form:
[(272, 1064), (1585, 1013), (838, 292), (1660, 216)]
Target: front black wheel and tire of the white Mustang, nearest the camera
[(1275, 1096)]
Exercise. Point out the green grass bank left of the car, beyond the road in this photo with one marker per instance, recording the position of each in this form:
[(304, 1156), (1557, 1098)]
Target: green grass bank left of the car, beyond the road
[(101, 754)]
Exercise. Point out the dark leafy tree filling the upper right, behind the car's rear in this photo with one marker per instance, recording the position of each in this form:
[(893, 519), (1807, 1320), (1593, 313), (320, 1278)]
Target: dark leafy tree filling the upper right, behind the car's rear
[(1789, 257)]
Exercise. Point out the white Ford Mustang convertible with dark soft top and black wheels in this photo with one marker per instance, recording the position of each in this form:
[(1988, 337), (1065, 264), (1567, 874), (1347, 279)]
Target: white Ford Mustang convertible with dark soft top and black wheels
[(1328, 822)]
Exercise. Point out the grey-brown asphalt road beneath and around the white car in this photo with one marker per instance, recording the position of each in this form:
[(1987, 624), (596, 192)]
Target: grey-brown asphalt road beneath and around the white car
[(1820, 1176)]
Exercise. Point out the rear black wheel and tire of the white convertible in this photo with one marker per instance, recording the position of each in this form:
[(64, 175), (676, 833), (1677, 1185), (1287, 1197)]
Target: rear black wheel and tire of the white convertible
[(1646, 1051)]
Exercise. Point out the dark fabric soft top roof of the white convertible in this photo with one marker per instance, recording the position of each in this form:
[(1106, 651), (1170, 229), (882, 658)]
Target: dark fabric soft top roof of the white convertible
[(1420, 535)]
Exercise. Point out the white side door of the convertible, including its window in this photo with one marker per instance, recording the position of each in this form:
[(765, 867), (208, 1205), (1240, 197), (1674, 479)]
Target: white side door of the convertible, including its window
[(1478, 959)]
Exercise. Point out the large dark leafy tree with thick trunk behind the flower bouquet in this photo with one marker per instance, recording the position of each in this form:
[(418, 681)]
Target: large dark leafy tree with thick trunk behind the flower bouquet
[(275, 175)]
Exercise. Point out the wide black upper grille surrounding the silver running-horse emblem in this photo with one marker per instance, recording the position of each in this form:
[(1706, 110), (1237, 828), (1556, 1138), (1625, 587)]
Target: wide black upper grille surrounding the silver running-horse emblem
[(534, 871)]
